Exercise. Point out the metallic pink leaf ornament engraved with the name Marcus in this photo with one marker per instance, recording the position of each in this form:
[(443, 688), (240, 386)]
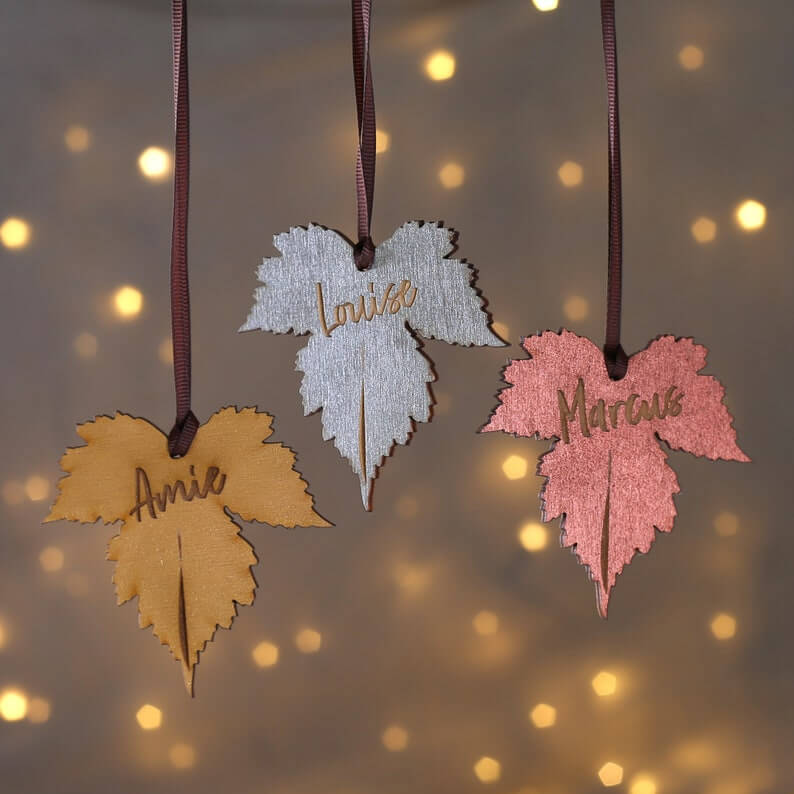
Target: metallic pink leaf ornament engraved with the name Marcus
[(608, 478)]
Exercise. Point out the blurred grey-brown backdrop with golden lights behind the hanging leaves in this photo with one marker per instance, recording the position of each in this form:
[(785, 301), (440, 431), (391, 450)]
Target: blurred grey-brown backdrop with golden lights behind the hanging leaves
[(444, 642)]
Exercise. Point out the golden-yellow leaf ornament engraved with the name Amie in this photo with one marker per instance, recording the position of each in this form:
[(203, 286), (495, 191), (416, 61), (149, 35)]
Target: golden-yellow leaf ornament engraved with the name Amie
[(178, 549)]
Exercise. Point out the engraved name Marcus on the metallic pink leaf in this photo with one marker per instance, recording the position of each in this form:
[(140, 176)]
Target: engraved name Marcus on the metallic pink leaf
[(605, 416)]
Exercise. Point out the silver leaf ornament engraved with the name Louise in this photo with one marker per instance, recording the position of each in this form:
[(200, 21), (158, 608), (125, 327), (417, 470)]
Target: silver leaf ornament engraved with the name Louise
[(362, 365)]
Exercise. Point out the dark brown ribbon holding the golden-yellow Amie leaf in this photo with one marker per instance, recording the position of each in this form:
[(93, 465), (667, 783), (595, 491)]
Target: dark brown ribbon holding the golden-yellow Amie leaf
[(186, 424)]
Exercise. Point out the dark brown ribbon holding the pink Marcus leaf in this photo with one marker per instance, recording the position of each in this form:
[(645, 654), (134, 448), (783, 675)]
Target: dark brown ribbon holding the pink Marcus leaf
[(616, 358)]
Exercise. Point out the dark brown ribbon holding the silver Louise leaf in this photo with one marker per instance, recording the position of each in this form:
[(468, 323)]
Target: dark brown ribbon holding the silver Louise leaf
[(364, 251)]
